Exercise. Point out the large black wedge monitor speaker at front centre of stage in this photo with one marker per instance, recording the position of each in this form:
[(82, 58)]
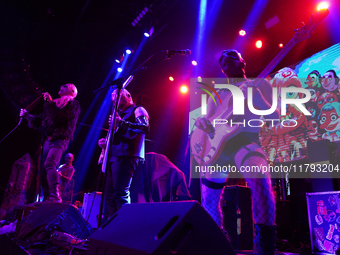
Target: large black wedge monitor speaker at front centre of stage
[(182, 228)]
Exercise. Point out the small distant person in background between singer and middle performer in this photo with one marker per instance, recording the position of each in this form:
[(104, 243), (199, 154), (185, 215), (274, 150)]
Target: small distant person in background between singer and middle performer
[(65, 172)]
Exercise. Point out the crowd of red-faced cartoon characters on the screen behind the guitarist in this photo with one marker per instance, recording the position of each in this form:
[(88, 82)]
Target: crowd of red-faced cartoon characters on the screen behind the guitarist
[(290, 140)]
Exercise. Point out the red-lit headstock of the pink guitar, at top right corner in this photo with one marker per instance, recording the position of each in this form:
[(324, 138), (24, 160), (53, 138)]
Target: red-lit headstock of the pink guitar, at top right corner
[(308, 28)]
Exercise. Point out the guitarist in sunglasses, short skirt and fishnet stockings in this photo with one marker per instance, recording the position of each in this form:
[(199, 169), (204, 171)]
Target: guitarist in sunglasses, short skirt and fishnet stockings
[(242, 150)]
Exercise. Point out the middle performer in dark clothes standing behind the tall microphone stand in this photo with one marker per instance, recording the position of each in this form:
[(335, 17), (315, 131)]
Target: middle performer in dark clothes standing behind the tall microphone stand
[(127, 149)]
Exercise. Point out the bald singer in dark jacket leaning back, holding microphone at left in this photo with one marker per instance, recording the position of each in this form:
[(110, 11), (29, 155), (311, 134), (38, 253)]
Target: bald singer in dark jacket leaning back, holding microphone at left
[(58, 123)]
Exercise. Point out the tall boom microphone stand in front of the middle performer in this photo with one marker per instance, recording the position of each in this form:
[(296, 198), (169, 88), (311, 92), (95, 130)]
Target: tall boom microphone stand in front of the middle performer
[(119, 84)]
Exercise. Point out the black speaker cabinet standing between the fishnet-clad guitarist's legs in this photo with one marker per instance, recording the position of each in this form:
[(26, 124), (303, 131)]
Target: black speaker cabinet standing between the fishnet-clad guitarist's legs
[(237, 218)]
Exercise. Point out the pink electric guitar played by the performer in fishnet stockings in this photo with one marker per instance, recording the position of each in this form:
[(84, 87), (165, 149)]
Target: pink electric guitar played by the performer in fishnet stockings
[(206, 147)]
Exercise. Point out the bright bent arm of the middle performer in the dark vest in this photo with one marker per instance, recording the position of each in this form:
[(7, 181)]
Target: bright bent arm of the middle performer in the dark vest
[(141, 126)]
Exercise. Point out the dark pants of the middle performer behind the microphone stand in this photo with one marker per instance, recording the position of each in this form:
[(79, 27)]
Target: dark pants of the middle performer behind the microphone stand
[(118, 182)]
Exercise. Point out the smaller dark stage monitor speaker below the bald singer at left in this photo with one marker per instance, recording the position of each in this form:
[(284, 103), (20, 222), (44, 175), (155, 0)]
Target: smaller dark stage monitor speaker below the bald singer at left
[(43, 221)]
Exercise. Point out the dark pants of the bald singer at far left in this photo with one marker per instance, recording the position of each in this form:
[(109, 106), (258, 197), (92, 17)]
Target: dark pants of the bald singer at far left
[(52, 152)]
